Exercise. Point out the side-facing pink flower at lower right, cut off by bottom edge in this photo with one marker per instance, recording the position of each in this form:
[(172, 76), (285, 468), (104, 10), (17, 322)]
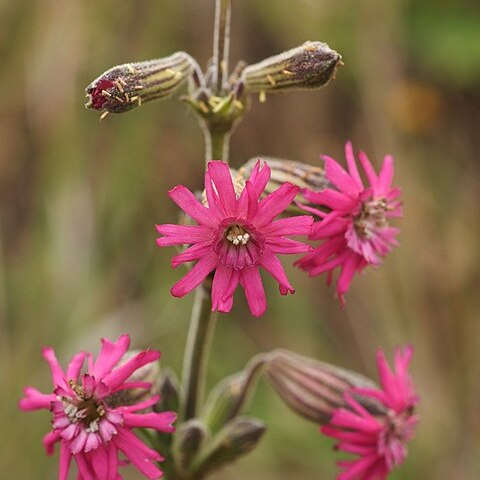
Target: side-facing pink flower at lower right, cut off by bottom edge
[(379, 441)]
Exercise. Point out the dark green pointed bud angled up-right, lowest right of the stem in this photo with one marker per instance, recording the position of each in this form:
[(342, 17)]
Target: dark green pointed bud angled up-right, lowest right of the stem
[(236, 439)]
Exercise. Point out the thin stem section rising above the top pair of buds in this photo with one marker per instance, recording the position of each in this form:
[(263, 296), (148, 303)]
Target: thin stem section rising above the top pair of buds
[(221, 43)]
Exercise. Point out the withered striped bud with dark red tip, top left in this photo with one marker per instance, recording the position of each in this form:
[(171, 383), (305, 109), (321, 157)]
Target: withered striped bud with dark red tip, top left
[(128, 86)]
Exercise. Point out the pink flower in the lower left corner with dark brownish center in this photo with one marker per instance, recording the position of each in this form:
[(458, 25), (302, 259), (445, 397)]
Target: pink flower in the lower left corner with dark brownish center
[(90, 425)]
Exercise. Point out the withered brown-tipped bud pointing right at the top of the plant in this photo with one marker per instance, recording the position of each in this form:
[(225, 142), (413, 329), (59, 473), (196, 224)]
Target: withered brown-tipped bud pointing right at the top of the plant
[(309, 66)]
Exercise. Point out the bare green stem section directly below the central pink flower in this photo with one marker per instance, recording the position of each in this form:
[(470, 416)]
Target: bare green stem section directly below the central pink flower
[(196, 352)]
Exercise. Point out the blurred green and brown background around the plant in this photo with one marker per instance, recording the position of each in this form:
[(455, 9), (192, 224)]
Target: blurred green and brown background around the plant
[(79, 200)]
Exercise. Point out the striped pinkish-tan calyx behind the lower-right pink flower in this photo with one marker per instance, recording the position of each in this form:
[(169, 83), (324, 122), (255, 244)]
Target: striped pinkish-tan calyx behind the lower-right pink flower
[(315, 389)]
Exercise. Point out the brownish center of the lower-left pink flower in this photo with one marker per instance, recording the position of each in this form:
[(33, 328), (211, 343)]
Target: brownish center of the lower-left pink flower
[(83, 409)]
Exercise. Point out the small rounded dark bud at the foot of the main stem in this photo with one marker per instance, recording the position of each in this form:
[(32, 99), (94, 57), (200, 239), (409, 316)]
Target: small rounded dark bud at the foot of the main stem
[(187, 441)]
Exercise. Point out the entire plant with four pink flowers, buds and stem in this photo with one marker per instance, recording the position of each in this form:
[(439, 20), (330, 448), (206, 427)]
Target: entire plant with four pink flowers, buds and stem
[(120, 408)]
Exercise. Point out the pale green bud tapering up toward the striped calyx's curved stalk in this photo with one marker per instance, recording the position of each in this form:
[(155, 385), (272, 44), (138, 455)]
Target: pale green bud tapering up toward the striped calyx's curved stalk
[(229, 396)]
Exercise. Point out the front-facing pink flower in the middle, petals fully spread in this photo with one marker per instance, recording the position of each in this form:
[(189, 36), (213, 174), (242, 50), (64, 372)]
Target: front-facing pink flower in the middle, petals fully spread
[(235, 236)]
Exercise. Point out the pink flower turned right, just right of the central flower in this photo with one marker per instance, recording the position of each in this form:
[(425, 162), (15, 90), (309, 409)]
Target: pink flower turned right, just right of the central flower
[(354, 229)]
